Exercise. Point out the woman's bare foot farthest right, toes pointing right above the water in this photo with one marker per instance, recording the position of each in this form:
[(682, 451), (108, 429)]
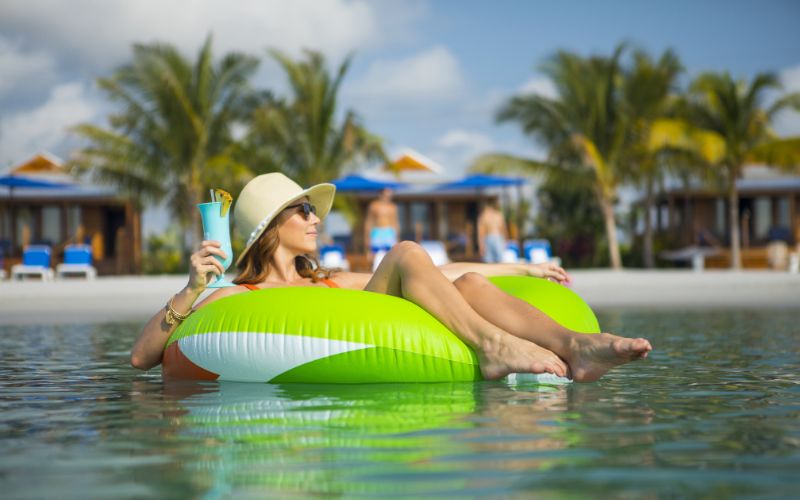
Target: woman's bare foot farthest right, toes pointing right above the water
[(591, 356)]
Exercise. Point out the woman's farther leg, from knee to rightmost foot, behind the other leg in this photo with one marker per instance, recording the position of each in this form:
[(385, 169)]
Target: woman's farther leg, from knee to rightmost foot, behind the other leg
[(588, 356)]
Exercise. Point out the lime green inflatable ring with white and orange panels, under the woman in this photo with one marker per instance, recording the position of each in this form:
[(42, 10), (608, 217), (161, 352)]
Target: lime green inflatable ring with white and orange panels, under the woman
[(328, 335)]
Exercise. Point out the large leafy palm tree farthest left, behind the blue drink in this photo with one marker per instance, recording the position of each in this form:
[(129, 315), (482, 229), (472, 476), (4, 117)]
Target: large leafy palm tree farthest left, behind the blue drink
[(171, 137)]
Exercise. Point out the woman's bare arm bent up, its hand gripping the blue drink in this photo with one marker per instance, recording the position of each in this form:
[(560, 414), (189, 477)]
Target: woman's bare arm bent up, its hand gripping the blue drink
[(149, 347)]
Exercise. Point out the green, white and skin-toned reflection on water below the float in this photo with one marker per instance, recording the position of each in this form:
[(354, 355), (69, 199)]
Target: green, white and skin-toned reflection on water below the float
[(360, 439)]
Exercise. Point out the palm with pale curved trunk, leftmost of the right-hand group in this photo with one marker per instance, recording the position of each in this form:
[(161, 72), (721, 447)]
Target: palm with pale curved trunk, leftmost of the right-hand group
[(584, 128)]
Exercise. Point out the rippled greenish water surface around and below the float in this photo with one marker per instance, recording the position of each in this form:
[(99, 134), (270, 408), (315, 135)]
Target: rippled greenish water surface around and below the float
[(714, 412)]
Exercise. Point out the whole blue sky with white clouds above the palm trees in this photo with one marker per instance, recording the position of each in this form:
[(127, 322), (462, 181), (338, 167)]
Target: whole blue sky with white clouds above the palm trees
[(427, 75)]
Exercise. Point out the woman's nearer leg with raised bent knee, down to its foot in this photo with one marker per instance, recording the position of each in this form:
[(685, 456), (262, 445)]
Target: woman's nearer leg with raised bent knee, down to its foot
[(408, 272)]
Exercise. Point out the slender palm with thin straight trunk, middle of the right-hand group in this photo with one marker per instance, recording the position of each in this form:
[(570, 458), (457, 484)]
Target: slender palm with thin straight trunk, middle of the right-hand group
[(647, 97)]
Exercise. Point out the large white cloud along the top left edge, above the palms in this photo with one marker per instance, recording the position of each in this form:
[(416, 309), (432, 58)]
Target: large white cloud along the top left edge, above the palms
[(99, 33)]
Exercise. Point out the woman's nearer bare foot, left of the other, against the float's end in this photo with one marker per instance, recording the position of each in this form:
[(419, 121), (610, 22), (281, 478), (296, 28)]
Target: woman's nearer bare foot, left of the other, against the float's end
[(508, 354)]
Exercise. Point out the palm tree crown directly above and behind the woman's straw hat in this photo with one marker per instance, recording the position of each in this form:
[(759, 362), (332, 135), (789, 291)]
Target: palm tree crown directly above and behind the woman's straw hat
[(304, 136)]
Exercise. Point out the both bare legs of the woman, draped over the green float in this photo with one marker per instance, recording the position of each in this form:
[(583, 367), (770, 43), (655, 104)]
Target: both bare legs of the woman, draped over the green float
[(508, 335)]
